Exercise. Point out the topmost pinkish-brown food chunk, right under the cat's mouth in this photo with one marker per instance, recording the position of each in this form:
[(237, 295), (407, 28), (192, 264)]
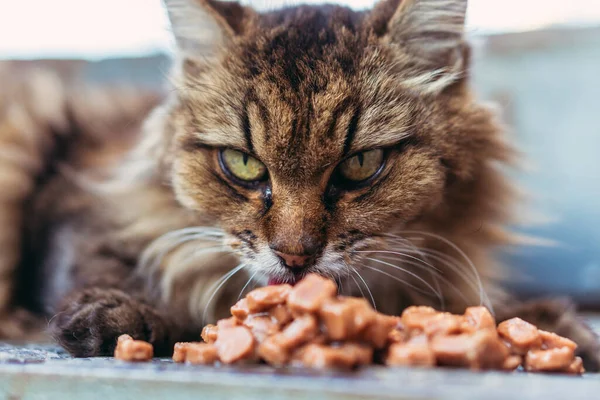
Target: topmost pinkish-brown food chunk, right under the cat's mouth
[(310, 293)]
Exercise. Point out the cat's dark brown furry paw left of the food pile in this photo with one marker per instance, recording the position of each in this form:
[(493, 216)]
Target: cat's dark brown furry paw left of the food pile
[(91, 320)]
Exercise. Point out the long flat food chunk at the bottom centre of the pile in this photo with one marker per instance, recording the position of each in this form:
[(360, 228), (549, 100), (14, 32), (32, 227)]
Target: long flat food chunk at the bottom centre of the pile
[(346, 355)]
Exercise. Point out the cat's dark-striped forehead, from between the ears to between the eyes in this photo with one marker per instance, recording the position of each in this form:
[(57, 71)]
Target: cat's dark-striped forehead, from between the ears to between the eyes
[(301, 101)]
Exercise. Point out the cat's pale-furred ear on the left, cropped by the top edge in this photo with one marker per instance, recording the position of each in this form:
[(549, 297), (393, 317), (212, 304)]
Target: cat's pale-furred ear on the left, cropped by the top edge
[(201, 27)]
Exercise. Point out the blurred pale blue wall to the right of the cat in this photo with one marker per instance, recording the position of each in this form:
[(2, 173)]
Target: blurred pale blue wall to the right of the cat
[(548, 84)]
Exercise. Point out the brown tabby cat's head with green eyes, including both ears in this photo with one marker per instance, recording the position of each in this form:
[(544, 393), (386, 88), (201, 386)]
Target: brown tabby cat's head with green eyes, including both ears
[(309, 134)]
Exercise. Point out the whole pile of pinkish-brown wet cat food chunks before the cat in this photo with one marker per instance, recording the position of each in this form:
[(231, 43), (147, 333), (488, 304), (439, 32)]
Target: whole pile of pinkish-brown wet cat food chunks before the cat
[(308, 325)]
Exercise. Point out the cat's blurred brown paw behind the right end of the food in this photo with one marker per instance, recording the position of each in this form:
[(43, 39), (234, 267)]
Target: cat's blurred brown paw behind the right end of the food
[(559, 315)]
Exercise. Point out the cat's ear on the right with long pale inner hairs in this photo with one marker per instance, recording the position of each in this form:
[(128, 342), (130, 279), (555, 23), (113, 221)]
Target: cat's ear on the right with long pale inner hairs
[(431, 32)]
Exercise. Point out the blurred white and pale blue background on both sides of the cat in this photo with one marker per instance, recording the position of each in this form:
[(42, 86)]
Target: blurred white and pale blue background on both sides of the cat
[(539, 60)]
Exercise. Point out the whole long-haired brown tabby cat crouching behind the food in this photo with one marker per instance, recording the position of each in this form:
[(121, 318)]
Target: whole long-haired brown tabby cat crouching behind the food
[(304, 139)]
